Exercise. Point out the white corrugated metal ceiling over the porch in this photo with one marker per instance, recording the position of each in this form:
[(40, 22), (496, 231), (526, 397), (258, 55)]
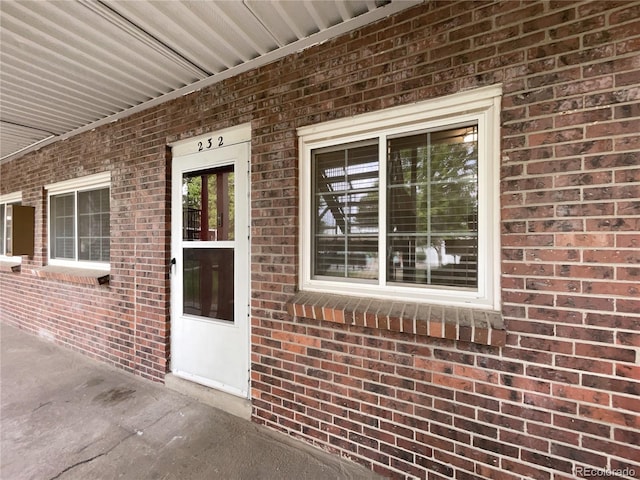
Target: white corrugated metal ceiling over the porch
[(68, 66)]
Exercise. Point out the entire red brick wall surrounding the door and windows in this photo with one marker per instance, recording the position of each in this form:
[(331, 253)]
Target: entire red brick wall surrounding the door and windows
[(561, 396)]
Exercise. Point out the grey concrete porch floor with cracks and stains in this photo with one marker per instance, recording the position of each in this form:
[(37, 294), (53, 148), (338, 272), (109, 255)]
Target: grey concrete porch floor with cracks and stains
[(65, 416)]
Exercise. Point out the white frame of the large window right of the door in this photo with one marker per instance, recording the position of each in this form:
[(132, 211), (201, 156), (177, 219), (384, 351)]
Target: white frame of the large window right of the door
[(480, 106)]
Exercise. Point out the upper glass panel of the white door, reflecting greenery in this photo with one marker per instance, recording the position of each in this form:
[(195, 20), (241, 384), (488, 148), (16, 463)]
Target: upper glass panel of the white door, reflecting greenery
[(208, 205)]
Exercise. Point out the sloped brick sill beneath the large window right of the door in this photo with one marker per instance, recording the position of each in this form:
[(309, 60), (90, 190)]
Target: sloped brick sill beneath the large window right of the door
[(452, 323)]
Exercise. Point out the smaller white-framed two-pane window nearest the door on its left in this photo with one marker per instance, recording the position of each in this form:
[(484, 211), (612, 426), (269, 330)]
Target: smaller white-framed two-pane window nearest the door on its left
[(79, 222)]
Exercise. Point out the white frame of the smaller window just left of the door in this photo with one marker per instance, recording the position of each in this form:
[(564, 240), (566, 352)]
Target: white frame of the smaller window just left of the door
[(75, 185)]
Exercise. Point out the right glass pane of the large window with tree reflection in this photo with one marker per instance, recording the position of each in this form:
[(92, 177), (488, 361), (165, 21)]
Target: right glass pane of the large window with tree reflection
[(432, 208)]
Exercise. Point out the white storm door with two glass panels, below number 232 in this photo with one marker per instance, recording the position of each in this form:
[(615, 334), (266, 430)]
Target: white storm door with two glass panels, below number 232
[(210, 268)]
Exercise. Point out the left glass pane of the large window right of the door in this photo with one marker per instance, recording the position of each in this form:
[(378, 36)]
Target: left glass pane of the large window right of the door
[(345, 206)]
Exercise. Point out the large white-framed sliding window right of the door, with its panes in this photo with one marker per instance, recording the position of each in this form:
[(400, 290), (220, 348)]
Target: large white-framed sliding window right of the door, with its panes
[(403, 204)]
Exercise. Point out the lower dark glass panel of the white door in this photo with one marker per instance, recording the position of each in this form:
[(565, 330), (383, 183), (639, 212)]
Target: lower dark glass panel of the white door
[(208, 282)]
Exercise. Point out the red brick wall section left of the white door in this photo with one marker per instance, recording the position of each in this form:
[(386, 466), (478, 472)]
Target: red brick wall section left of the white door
[(126, 322)]
